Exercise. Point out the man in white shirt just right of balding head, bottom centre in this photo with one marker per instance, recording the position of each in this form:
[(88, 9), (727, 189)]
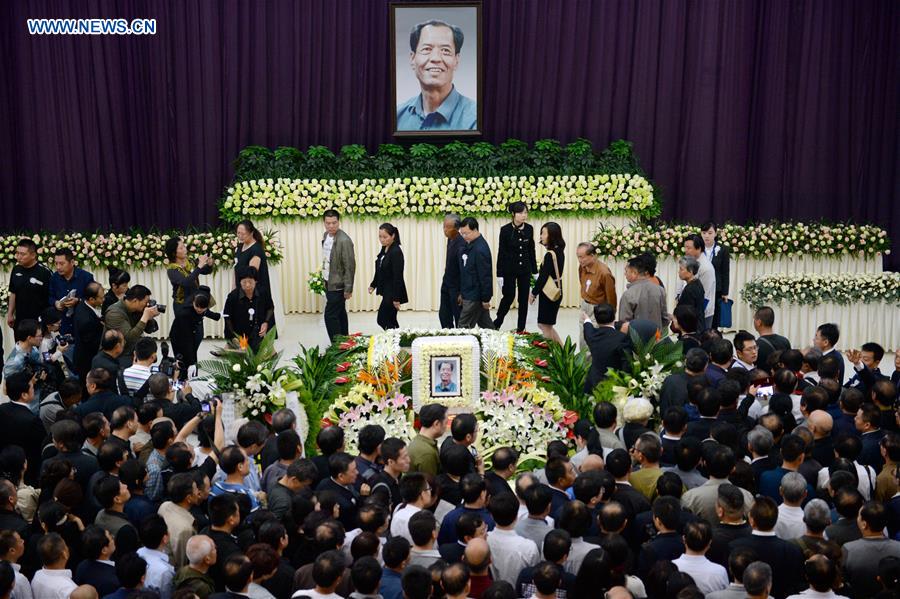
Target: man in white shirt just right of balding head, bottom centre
[(512, 553)]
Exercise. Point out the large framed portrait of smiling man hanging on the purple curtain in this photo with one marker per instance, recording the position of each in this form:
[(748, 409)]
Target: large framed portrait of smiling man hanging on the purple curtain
[(436, 68)]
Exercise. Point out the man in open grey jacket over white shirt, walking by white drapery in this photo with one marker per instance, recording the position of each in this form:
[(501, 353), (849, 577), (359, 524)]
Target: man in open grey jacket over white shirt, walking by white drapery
[(339, 269)]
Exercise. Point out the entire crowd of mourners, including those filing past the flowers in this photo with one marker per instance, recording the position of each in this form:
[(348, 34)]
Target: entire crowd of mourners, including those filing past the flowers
[(764, 470)]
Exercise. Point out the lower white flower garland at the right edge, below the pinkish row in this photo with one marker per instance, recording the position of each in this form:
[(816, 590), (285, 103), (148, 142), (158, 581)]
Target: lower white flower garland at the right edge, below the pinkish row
[(814, 289)]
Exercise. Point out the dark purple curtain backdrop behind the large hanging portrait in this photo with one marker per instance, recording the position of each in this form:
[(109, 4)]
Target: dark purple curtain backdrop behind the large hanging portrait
[(738, 109)]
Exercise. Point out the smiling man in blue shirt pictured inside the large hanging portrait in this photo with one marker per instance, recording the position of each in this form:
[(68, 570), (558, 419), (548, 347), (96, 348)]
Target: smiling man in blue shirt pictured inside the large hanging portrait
[(434, 57)]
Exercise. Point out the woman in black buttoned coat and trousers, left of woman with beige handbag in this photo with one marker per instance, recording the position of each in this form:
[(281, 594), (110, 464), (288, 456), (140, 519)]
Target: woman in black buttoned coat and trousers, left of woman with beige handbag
[(516, 262)]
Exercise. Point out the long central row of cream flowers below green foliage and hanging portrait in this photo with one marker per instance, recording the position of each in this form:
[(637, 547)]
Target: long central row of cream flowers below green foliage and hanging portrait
[(622, 194)]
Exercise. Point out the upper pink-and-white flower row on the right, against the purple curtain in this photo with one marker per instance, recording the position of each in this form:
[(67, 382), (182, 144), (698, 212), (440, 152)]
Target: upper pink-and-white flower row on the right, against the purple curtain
[(766, 240)]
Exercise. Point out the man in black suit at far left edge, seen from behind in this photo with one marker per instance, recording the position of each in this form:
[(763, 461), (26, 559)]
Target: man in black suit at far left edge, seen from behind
[(19, 425)]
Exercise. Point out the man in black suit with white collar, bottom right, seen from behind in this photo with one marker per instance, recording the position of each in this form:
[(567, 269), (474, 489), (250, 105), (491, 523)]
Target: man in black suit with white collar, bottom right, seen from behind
[(785, 558)]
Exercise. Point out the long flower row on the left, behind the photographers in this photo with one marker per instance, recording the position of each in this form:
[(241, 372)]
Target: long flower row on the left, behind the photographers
[(132, 250)]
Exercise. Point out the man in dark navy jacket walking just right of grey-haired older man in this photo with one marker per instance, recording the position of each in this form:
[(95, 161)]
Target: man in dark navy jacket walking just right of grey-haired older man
[(476, 288)]
